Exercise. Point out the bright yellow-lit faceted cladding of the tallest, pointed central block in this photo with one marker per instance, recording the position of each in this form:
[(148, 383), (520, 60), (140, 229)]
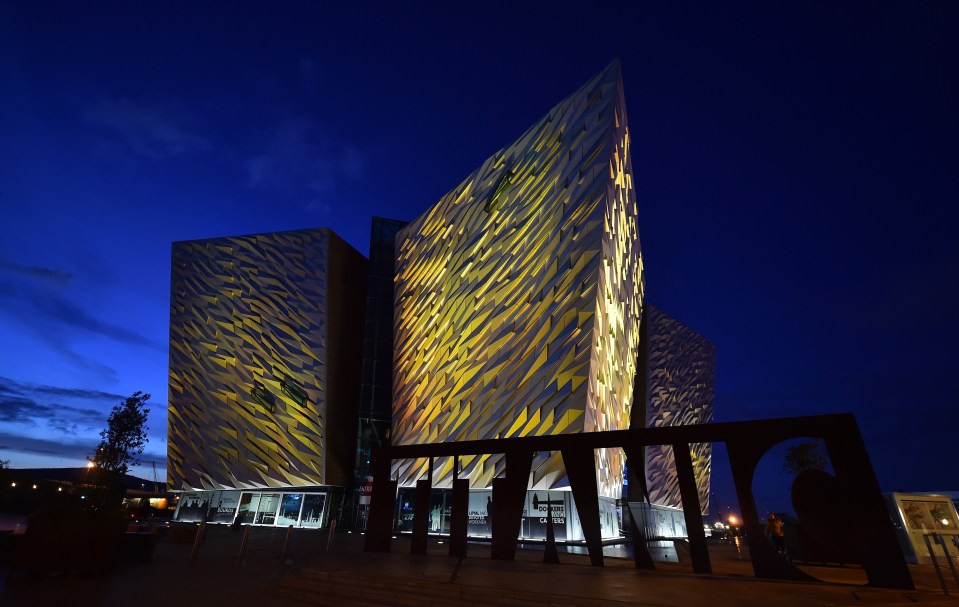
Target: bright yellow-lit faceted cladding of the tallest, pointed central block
[(518, 297)]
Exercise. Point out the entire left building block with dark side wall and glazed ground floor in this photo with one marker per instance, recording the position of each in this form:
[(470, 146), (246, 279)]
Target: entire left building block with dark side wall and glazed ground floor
[(264, 372)]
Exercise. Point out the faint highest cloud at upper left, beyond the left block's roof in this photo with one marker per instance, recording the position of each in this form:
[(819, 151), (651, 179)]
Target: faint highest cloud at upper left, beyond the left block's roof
[(150, 130)]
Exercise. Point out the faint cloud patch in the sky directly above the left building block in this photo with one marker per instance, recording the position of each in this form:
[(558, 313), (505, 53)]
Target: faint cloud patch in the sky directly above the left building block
[(298, 159)]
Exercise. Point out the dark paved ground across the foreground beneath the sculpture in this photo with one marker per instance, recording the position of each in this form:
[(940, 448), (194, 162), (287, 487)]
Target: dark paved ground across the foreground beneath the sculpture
[(345, 575)]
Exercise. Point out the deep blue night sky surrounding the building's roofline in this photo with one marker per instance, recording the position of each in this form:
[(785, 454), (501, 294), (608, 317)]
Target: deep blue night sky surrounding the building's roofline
[(796, 168)]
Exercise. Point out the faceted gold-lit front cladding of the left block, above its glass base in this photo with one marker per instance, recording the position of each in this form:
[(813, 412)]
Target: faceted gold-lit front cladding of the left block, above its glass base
[(248, 352)]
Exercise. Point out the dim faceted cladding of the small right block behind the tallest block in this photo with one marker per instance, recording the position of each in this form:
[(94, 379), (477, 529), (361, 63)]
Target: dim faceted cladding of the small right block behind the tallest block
[(681, 381)]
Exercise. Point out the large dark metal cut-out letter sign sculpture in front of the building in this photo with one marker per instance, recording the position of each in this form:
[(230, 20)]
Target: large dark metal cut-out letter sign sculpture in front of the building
[(746, 442)]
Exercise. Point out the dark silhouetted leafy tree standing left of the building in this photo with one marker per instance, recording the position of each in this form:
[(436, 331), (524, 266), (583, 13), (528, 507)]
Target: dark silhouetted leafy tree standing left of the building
[(122, 442)]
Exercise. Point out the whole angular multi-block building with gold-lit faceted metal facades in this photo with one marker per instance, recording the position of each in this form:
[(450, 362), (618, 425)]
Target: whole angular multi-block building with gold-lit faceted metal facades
[(512, 307)]
